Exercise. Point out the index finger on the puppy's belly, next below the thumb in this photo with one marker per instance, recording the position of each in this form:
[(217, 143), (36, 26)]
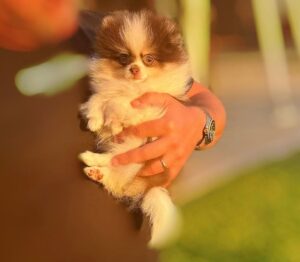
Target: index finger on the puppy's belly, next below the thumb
[(153, 128)]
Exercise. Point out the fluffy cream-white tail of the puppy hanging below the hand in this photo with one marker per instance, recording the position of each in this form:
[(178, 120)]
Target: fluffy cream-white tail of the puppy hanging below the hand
[(164, 217)]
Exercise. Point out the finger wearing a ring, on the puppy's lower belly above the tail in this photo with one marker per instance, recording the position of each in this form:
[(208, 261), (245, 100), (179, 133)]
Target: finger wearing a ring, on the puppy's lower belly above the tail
[(155, 167)]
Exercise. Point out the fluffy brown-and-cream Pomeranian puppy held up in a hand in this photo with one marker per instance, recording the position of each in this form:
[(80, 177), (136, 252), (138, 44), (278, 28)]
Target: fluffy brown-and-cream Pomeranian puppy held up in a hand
[(136, 53)]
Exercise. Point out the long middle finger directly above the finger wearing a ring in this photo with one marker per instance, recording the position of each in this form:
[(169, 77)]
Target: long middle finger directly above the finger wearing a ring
[(147, 152)]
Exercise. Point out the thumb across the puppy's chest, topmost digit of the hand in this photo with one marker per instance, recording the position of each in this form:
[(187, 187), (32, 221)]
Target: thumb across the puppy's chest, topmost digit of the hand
[(152, 99)]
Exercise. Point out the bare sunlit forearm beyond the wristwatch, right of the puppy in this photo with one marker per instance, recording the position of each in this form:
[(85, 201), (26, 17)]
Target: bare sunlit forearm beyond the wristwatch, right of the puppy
[(204, 99)]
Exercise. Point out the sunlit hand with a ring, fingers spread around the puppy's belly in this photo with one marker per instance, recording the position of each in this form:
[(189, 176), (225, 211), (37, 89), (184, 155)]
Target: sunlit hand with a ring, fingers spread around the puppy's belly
[(178, 132)]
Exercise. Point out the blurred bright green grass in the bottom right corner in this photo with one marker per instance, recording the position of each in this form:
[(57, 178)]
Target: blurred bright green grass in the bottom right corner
[(255, 217)]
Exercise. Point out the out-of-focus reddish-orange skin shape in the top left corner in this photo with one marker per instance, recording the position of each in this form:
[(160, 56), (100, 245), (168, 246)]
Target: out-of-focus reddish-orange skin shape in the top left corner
[(26, 25)]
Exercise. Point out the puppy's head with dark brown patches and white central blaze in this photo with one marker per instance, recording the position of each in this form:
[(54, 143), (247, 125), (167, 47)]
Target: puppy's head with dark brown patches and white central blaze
[(137, 45)]
